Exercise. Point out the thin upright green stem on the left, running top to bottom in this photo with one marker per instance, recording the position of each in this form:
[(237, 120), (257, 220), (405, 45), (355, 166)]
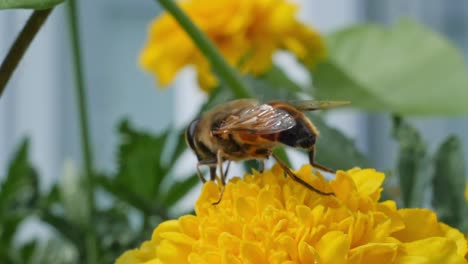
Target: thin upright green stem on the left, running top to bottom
[(91, 240)]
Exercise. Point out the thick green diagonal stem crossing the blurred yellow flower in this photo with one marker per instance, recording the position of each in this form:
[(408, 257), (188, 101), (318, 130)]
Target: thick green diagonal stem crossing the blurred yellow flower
[(219, 64)]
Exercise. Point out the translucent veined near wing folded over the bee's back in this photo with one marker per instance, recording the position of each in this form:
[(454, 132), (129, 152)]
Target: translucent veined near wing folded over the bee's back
[(260, 119)]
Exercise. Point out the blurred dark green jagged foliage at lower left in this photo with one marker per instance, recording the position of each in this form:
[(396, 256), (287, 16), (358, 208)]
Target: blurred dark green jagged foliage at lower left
[(144, 188)]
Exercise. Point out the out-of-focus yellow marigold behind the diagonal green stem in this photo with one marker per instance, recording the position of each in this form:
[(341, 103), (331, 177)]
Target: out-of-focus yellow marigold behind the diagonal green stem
[(246, 32)]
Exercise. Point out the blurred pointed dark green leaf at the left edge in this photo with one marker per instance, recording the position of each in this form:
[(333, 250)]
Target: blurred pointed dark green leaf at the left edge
[(20, 189)]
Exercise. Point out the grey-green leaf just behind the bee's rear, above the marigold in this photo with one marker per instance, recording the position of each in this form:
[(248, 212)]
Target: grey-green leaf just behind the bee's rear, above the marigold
[(334, 150)]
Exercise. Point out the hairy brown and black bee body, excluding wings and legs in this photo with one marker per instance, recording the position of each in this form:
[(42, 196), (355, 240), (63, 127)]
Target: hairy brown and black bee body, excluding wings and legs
[(248, 145)]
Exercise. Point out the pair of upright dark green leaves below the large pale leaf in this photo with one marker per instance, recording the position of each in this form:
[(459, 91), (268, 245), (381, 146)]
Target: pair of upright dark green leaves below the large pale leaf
[(434, 180)]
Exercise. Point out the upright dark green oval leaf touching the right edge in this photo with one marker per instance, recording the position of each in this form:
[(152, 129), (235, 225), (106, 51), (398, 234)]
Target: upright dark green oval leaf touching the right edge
[(449, 182)]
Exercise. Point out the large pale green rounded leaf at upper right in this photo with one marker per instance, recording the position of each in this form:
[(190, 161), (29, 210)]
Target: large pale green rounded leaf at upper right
[(405, 69)]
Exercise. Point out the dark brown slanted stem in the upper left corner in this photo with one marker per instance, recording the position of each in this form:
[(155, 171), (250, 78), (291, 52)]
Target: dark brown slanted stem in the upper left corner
[(21, 44)]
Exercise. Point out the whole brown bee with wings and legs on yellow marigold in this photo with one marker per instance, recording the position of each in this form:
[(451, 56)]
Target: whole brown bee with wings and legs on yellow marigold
[(244, 129)]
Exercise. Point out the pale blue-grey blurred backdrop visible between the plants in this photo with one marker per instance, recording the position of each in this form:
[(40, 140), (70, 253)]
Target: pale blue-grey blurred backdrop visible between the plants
[(39, 100)]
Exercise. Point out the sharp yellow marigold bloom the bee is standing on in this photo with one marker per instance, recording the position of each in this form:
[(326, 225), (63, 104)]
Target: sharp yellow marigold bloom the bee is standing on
[(268, 218)]
